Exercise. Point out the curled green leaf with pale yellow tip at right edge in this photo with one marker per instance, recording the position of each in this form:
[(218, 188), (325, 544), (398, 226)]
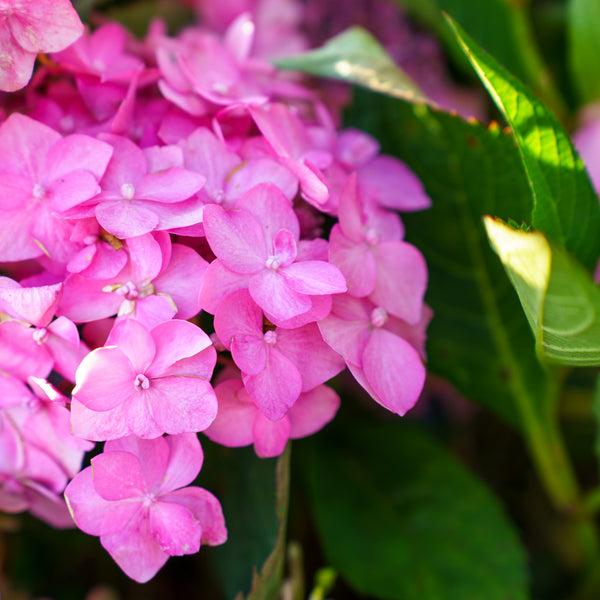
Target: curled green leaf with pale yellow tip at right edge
[(561, 302)]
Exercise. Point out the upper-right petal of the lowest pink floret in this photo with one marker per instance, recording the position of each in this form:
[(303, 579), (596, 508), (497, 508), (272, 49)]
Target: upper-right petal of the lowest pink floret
[(185, 462)]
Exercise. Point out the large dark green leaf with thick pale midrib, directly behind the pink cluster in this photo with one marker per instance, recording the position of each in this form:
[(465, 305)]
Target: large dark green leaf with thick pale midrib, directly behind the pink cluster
[(479, 338)]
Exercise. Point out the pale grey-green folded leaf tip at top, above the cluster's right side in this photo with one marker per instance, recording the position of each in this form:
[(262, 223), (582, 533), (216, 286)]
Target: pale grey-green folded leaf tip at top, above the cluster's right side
[(355, 56)]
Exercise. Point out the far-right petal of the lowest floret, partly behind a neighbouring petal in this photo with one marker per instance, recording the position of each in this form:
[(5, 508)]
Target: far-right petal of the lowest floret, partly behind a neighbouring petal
[(206, 509)]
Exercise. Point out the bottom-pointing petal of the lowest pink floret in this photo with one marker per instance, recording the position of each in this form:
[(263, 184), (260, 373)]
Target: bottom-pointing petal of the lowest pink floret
[(135, 550)]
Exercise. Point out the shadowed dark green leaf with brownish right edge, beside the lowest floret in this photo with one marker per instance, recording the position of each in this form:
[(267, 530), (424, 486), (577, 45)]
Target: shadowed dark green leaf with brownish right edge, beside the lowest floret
[(254, 495)]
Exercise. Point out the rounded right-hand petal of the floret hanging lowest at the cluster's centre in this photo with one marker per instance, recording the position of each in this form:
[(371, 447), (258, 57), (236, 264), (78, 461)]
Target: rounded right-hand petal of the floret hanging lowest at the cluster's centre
[(312, 411)]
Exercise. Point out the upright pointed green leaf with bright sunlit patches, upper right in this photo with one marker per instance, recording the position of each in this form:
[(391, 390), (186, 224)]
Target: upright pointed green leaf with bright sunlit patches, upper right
[(565, 205)]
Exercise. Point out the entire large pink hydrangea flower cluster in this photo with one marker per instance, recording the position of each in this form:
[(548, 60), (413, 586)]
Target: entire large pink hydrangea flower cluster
[(145, 185)]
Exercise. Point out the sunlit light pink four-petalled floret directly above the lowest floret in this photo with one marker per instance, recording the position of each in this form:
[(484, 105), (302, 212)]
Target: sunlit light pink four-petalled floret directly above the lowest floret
[(145, 383)]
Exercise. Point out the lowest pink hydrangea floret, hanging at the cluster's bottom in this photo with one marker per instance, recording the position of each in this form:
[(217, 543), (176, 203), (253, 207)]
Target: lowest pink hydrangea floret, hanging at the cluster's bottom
[(134, 496)]
